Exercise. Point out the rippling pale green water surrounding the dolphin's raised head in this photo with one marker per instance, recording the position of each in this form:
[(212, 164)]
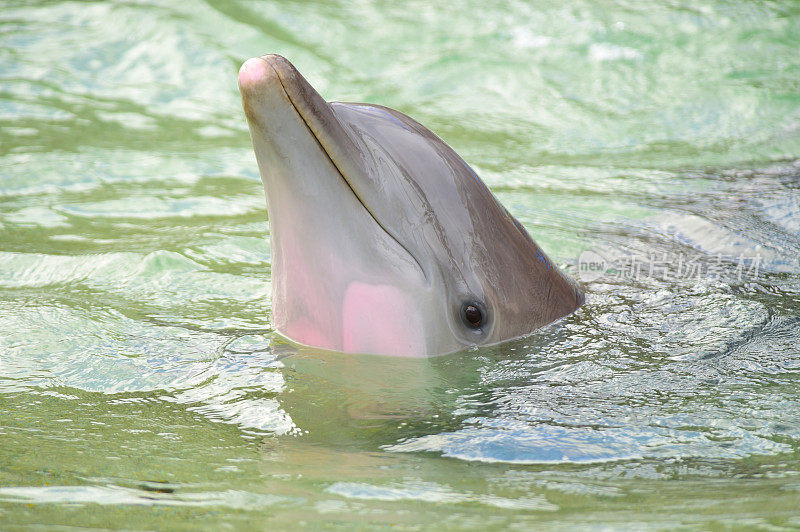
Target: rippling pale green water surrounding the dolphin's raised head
[(141, 385)]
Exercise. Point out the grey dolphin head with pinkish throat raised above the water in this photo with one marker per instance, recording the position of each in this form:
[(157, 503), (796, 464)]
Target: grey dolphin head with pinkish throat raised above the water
[(383, 239)]
